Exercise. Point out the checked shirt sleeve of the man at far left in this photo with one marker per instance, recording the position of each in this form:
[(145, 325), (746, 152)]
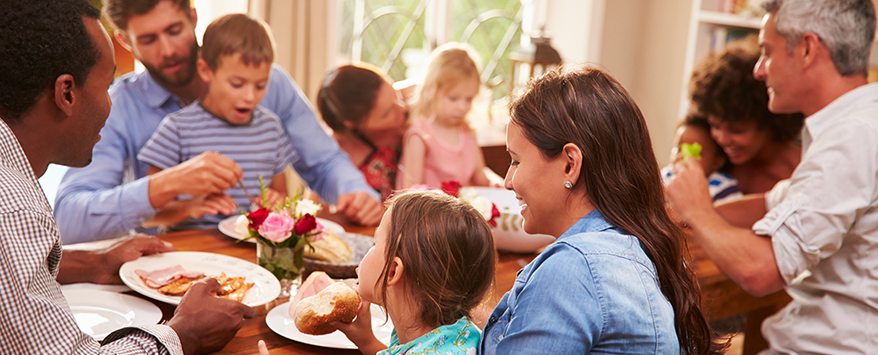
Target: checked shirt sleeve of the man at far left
[(36, 315)]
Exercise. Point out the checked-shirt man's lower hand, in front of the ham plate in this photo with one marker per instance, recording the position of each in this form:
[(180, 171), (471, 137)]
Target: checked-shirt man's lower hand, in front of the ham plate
[(204, 322)]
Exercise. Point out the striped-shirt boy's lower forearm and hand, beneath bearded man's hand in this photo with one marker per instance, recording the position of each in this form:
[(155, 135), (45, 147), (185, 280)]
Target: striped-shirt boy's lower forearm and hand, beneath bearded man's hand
[(178, 211)]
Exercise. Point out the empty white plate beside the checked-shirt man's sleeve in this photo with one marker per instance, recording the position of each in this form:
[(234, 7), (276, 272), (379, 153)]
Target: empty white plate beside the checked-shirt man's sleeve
[(99, 313)]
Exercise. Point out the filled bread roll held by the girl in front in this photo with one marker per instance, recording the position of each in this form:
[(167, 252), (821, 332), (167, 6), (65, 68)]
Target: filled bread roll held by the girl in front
[(336, 303)]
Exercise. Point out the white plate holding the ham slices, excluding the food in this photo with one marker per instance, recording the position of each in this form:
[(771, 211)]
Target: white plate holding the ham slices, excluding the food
[(265, 288)]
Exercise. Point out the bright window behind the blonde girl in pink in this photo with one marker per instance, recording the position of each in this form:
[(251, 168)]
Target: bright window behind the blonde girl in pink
[(398, 35)]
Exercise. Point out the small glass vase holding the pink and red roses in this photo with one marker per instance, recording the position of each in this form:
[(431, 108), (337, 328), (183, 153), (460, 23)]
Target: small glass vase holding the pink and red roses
[(284, 262)]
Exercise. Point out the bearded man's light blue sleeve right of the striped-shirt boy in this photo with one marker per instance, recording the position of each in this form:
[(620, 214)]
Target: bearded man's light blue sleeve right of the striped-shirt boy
[(327, 169)]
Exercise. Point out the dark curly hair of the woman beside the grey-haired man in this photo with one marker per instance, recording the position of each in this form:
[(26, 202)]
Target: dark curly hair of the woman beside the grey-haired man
[(723, 86)]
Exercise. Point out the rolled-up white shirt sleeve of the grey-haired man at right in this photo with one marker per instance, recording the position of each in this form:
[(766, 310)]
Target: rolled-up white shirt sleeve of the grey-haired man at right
[(831, 188)]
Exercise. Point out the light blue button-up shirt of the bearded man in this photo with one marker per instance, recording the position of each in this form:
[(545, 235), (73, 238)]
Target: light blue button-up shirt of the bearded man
[(109, 197)]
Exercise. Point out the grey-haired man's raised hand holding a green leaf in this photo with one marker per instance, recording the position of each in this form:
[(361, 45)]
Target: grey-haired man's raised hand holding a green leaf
[(687, 192)]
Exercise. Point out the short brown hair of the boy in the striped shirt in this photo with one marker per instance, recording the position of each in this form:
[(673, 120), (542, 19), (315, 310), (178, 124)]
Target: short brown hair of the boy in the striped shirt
[(237, 33)]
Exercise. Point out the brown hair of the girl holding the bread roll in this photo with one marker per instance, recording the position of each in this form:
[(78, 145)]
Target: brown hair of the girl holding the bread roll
[(447, 250)]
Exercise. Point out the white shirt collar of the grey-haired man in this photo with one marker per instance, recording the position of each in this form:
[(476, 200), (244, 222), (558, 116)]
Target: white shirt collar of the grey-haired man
[(829, 115)]
